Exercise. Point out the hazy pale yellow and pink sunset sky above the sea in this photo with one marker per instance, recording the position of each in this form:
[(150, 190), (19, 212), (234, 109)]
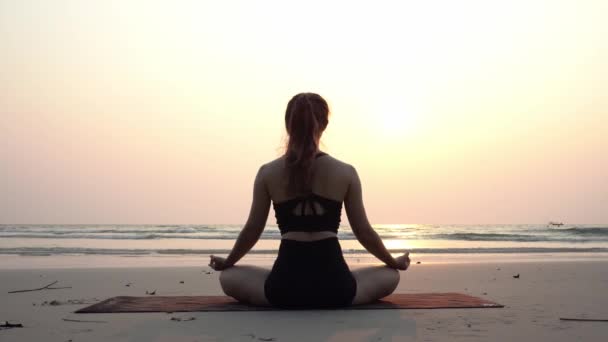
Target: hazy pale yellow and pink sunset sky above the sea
[(161, 112)]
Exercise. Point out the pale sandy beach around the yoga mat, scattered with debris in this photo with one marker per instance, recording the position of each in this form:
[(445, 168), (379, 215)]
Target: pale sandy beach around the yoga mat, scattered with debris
[(534, 302)]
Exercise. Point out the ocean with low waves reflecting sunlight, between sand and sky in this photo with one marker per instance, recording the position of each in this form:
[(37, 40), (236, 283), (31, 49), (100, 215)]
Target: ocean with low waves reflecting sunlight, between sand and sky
[(48, 240)]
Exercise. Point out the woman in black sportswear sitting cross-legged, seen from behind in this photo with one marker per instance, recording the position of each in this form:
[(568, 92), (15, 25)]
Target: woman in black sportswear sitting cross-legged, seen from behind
[(307, 188)]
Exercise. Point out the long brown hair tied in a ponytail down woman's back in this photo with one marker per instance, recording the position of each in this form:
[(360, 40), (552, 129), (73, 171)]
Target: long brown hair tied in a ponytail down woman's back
[(306, 118)]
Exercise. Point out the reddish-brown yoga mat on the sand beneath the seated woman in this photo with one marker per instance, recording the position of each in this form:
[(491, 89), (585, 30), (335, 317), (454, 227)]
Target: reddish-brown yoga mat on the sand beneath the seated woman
[(224, 303)]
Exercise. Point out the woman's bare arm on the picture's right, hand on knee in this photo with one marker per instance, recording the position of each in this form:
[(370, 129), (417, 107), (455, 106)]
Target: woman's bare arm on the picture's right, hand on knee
[(367, 236)]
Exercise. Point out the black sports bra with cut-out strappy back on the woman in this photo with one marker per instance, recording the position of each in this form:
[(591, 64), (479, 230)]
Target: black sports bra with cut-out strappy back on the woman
[(301, 213)]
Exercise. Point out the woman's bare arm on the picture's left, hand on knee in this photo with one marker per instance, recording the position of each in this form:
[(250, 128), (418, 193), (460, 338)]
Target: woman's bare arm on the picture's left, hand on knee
[(250, 234)]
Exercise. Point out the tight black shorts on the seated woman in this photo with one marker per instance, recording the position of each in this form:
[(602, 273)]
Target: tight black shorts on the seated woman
[(311, 274)]
